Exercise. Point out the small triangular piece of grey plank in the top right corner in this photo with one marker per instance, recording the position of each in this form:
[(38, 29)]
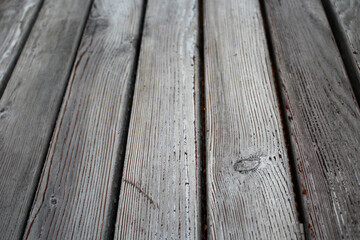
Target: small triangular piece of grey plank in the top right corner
[(346, 20)]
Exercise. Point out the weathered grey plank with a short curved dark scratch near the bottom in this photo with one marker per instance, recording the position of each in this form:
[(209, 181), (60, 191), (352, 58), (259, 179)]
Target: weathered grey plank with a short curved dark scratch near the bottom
[(160, 192)]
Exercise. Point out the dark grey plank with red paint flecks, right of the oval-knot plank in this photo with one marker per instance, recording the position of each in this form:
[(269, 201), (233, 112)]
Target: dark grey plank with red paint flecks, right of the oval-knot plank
[(322, 116)]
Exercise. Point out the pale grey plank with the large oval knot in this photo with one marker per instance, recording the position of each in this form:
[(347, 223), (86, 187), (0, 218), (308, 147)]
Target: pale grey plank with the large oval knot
[(250, 193)]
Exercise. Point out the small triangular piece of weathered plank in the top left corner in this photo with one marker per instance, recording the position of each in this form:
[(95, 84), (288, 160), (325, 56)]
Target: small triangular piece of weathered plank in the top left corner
[(16, 19)]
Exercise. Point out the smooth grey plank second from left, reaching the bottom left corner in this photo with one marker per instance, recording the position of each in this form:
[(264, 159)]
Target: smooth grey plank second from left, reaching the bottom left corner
[(30, 104)]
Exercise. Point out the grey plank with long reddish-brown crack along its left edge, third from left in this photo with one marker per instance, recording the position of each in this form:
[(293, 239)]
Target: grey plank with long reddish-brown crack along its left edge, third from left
[(75, 198)]
